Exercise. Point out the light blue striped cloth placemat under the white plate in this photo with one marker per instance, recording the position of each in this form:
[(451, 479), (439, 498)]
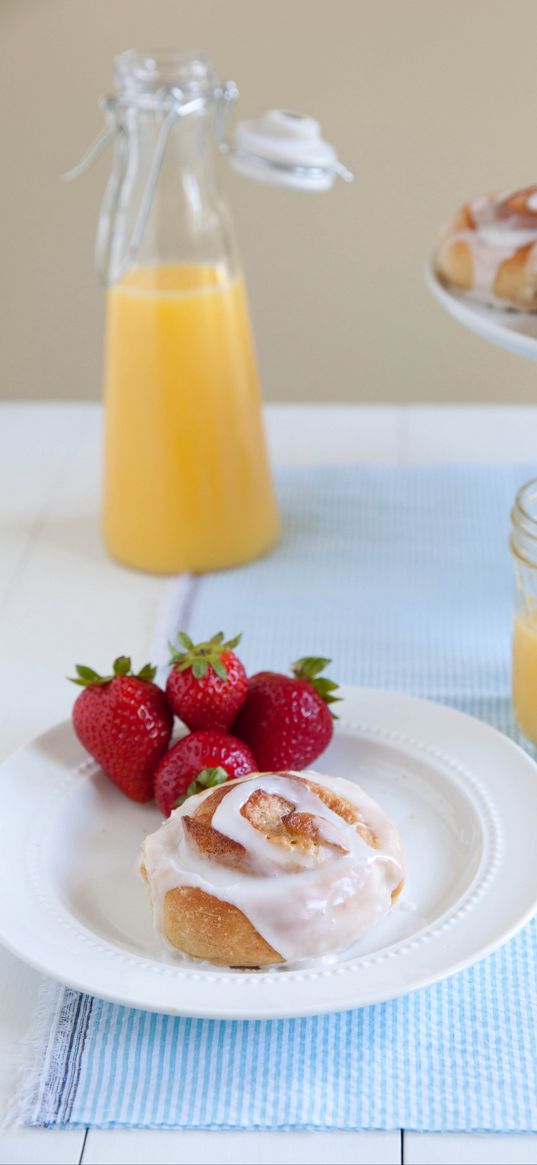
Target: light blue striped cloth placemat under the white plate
[(404, 578)]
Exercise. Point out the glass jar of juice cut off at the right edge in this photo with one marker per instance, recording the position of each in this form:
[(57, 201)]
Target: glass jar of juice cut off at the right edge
[(524, 543)]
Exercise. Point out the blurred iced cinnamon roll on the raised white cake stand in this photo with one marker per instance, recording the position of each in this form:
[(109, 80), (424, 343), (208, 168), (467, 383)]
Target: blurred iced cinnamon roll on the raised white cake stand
[(490, 250)]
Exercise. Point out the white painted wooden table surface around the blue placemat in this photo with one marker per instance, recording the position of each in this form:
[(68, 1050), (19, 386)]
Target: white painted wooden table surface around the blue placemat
[(62, 599)]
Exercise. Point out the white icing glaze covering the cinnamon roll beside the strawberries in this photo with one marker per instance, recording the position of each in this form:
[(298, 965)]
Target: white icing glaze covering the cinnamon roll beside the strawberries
[(306, 905)]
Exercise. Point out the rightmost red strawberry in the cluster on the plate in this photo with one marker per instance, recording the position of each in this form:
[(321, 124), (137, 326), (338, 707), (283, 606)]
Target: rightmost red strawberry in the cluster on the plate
[(286, 721)]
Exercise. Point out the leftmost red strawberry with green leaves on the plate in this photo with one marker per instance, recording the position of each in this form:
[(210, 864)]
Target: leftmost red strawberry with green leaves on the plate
[(125, 723)]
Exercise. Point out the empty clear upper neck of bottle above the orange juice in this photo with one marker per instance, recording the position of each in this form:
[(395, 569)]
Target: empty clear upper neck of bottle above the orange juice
[(162, 204)]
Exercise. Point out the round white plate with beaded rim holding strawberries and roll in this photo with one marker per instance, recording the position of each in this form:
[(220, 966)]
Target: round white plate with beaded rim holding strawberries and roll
[(463, 796)]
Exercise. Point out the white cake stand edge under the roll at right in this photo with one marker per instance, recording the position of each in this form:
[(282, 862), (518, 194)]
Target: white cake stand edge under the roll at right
[(512, 330)]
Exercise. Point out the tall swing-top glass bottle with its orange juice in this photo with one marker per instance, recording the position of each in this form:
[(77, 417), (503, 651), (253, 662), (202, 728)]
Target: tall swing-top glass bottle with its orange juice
[(187, 478)]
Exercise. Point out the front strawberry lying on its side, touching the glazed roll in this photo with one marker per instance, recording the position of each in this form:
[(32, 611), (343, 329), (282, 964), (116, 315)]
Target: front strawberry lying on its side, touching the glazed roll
[(200, 760)]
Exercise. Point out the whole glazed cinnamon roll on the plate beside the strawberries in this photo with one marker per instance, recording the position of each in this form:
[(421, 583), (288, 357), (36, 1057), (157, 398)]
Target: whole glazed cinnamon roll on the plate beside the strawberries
[(273, 869)]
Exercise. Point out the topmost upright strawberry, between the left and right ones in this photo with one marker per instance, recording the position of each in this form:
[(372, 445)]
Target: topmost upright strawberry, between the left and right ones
[(208, 683)]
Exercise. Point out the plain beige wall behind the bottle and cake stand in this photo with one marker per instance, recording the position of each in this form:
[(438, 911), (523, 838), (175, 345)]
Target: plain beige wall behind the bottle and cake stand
[(428, 102)]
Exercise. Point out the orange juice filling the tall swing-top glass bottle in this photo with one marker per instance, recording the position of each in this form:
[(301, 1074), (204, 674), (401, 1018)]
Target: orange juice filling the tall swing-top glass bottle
[(187, 479)]
